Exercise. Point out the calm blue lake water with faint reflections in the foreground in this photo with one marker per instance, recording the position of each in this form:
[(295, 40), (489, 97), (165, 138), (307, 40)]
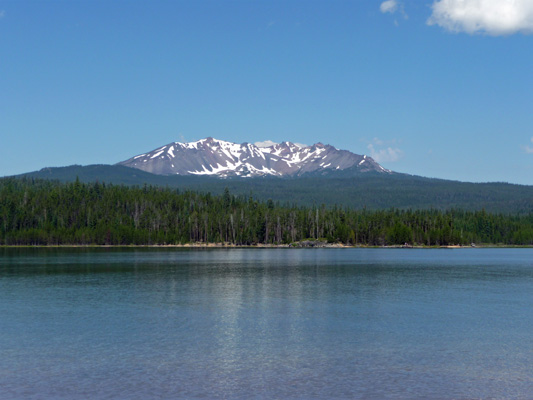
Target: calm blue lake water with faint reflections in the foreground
[(266, 323)]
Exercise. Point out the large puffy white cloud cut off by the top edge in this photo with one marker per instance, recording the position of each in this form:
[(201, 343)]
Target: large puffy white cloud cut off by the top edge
[(492, 17)]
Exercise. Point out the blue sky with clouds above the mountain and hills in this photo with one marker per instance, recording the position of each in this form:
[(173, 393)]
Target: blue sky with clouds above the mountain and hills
[(434, 88)]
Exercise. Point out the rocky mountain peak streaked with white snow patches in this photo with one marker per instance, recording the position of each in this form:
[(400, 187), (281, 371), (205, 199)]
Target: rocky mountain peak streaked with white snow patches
[(223, 159)]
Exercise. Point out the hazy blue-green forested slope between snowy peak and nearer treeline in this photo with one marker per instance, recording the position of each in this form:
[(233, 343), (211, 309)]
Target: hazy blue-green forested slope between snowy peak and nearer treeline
[(369, 190)]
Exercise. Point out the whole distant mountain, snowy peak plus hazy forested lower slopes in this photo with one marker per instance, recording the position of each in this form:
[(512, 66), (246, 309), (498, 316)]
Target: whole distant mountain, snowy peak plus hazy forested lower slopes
[(309, 177)]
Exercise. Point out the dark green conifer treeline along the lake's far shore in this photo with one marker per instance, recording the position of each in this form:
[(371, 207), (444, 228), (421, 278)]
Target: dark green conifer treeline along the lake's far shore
[(39, 212)]
